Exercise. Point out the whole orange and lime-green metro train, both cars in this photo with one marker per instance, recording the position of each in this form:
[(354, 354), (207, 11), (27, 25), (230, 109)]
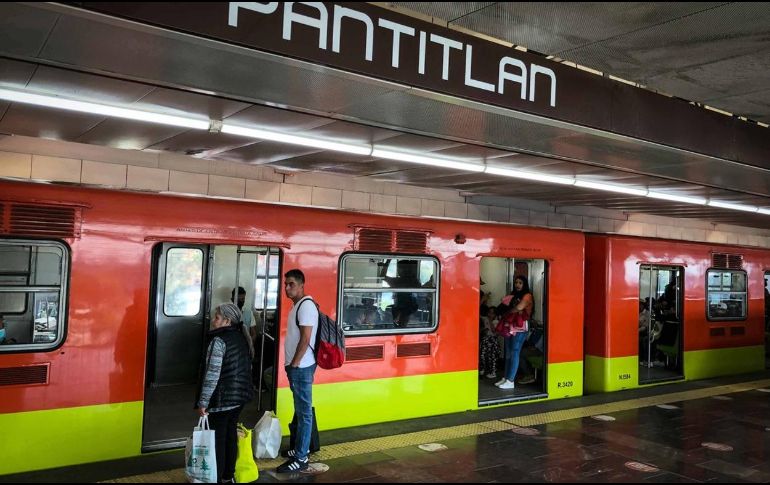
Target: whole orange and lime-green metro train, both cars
[(106, 297)]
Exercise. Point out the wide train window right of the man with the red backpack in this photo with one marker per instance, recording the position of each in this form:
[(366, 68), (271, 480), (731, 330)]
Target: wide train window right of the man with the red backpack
[(388, 294)]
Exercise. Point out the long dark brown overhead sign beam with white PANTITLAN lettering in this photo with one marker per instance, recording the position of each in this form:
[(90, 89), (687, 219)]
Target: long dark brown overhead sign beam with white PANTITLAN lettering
[(390, 46)]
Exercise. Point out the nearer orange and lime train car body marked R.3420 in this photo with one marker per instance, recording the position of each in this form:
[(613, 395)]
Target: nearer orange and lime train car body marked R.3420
[(93, 399)]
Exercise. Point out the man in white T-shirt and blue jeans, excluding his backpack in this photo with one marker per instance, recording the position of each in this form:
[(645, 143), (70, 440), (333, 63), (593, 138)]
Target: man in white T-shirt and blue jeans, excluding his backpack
[(301, 329)]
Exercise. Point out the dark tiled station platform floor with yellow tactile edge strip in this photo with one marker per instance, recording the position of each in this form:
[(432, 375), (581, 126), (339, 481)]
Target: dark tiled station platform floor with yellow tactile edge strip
[(715, 430)]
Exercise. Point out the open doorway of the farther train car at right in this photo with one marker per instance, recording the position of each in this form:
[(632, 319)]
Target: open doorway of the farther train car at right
[(660, 323)]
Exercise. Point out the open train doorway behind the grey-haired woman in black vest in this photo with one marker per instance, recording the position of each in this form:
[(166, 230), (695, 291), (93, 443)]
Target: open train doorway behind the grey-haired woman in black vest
[(189, 282)]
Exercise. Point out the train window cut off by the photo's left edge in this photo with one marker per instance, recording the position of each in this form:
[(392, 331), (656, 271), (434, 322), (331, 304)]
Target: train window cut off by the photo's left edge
[(33, 288)]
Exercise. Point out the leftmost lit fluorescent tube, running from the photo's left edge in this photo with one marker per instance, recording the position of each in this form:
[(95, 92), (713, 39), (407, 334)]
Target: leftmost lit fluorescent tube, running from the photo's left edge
[(101, 109)]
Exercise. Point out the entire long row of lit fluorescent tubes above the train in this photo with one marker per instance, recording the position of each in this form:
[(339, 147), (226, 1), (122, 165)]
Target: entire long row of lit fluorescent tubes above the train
[(217, 126)]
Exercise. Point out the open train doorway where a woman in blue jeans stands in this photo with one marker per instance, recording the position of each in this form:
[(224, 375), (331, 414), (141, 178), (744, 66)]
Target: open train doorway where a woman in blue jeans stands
[(496, 354)]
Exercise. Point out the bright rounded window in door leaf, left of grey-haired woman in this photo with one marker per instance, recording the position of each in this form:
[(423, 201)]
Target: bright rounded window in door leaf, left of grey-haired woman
[(184, 274)]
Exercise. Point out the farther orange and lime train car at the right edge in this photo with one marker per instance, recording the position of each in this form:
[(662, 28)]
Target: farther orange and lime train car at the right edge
[(660, 311)]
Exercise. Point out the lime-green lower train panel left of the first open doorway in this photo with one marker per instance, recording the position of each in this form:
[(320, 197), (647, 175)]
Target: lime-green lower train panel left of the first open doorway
[(38, 440)]
